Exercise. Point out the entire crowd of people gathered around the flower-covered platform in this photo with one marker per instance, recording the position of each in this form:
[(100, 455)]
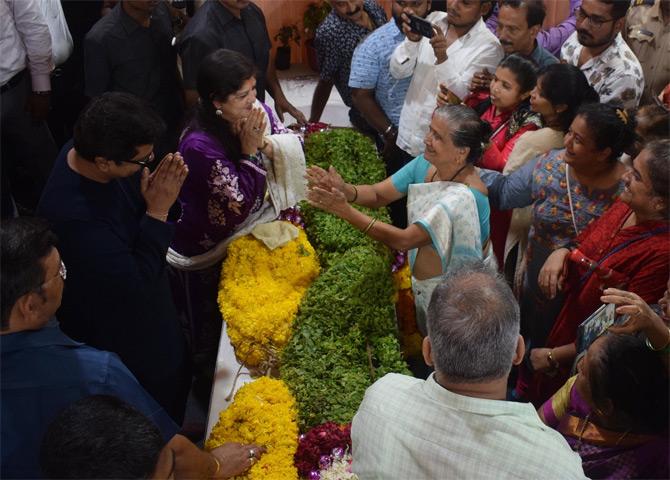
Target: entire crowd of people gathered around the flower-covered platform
[(528, 180)]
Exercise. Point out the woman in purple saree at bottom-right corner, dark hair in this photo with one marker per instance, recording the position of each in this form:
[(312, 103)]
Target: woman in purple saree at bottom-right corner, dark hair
[(614, 412)]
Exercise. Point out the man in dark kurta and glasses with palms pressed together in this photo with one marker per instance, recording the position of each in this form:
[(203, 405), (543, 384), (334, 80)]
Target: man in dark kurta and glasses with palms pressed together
[(110, 216)]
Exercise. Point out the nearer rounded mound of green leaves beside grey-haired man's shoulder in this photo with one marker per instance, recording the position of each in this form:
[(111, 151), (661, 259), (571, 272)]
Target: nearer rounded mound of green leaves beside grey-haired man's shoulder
[(344, 338)]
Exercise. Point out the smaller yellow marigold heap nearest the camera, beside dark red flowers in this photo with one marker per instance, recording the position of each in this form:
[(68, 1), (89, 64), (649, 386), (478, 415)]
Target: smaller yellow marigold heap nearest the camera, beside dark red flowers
[(263, 412)]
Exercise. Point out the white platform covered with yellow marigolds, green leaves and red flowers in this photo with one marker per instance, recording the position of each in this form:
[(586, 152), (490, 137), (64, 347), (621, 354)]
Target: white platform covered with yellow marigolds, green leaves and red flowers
[(308, 327)]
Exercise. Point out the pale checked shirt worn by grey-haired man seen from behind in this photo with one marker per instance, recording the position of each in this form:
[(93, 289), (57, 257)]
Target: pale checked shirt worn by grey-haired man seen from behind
[(408, 428)]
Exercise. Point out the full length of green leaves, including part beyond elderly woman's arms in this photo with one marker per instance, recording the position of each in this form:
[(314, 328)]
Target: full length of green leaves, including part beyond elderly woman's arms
[(344, 336)]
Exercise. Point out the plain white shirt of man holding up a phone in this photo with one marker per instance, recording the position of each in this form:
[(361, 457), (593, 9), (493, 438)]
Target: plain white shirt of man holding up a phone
[(476, 50)]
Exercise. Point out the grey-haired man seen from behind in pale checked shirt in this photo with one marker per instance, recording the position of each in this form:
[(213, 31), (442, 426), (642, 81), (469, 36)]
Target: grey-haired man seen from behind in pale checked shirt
[(456, 424)]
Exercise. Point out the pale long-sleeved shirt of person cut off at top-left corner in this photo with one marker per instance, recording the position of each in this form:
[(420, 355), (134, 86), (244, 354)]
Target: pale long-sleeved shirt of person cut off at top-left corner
[(24, 41)]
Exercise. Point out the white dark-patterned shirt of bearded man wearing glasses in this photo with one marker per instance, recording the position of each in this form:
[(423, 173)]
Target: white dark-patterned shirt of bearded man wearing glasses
[(616, 74)]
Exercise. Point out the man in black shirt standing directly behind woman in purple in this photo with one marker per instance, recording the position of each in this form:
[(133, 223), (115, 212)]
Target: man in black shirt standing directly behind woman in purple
[(237, 25)]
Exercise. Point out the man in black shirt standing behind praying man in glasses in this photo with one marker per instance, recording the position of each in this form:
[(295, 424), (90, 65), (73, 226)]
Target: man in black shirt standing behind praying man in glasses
[(131, 50)]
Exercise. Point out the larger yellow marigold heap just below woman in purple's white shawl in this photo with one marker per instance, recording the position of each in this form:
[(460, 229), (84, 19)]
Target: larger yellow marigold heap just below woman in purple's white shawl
[(259, 295)]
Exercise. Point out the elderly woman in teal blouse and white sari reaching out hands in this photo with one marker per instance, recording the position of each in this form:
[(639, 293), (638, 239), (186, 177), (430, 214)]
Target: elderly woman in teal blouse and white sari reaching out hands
[(447, 202)]
